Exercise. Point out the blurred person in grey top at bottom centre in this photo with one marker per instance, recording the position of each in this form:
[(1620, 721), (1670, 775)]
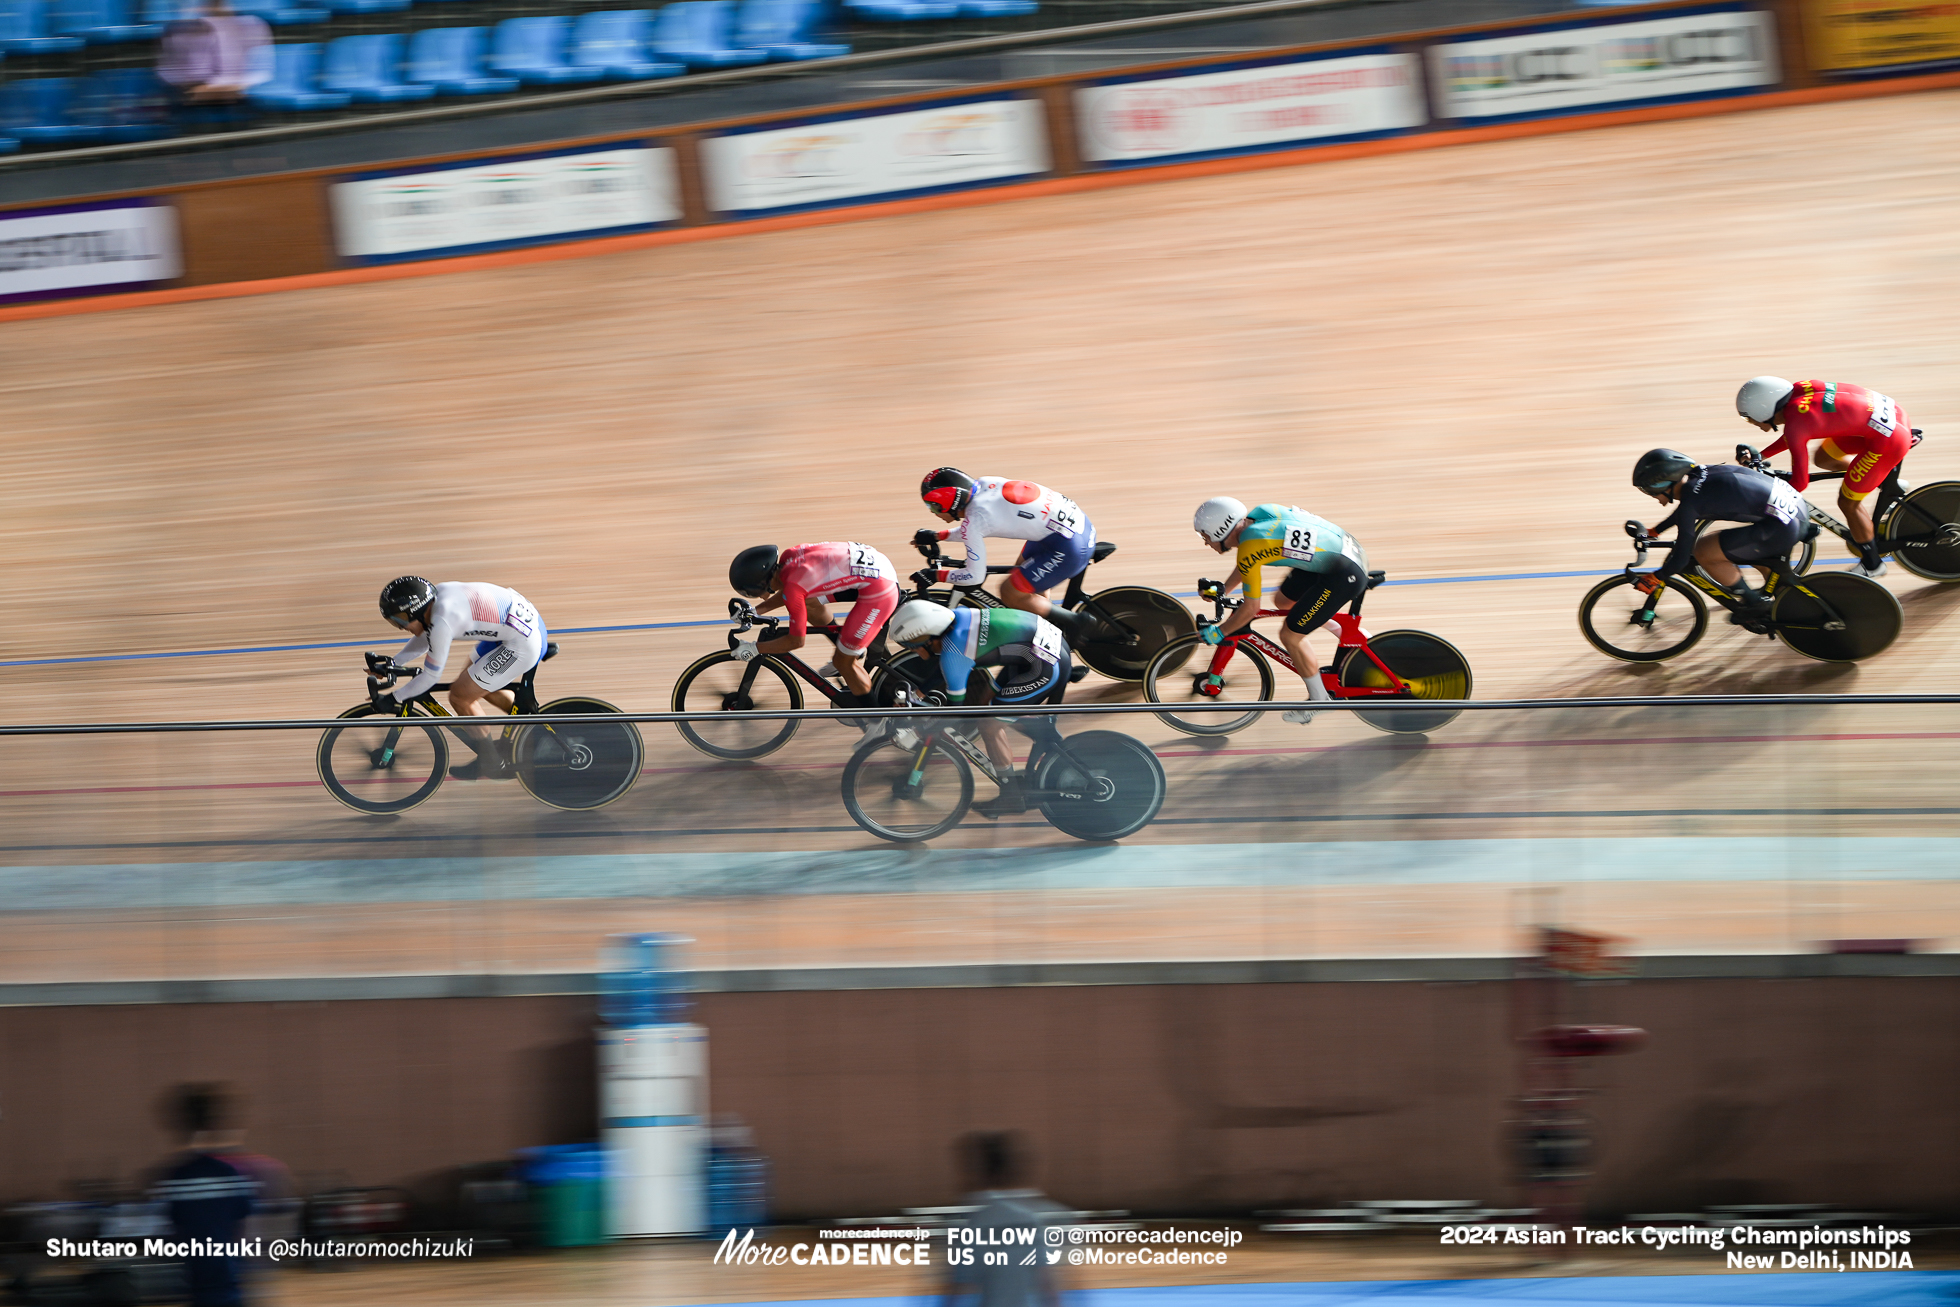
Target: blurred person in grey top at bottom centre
[(995, 1167)]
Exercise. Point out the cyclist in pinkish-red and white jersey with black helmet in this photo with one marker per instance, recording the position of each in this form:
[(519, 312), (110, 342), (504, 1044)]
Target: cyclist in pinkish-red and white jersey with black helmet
[(801, 579)]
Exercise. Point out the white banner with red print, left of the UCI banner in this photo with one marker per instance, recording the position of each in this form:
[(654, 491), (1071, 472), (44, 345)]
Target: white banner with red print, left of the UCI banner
[(1249, 109)]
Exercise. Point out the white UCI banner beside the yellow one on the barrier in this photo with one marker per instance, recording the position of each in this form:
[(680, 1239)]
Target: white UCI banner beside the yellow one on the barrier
[(1606, 66)]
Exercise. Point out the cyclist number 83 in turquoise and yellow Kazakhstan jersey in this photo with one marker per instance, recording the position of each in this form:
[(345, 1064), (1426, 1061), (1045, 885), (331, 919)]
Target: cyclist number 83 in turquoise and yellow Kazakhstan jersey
[(1326, 569)]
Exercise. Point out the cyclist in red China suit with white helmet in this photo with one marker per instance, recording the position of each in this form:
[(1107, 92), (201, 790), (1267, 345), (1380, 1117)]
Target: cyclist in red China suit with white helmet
[(1861, 434)]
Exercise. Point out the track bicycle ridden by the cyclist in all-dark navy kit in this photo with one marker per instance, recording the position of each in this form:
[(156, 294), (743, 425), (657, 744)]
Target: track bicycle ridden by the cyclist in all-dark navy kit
[(1830, 616)]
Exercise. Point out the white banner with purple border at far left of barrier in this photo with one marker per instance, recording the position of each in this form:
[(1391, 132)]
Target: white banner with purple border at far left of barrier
[(87, 250)]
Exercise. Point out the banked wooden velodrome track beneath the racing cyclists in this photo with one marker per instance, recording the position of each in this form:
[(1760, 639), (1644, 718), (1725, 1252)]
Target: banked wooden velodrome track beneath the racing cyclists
[(1455, 354)]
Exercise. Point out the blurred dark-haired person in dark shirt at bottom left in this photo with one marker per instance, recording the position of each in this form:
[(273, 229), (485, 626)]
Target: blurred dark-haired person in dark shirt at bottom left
[(213, 1188)]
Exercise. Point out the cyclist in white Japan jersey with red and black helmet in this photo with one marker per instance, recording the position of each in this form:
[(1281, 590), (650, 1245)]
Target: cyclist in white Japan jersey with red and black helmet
[(1059, 538)]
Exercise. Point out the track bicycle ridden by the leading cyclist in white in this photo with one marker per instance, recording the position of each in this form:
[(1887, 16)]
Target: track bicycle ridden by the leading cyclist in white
[(397, 761)]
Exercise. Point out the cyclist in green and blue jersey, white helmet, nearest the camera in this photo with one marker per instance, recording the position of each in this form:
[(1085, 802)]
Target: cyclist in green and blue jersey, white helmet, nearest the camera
[(1032, 663)]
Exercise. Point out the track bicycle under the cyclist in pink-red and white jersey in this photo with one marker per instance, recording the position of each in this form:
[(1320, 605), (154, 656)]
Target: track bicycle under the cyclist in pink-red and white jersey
[(720, 683)]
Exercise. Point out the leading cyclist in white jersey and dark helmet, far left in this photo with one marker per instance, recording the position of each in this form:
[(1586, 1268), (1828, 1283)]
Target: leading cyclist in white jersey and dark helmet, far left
[(511, 640)]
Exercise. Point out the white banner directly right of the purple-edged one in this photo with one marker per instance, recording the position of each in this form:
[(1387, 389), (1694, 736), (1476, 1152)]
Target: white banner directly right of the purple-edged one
[(477, 207)]
